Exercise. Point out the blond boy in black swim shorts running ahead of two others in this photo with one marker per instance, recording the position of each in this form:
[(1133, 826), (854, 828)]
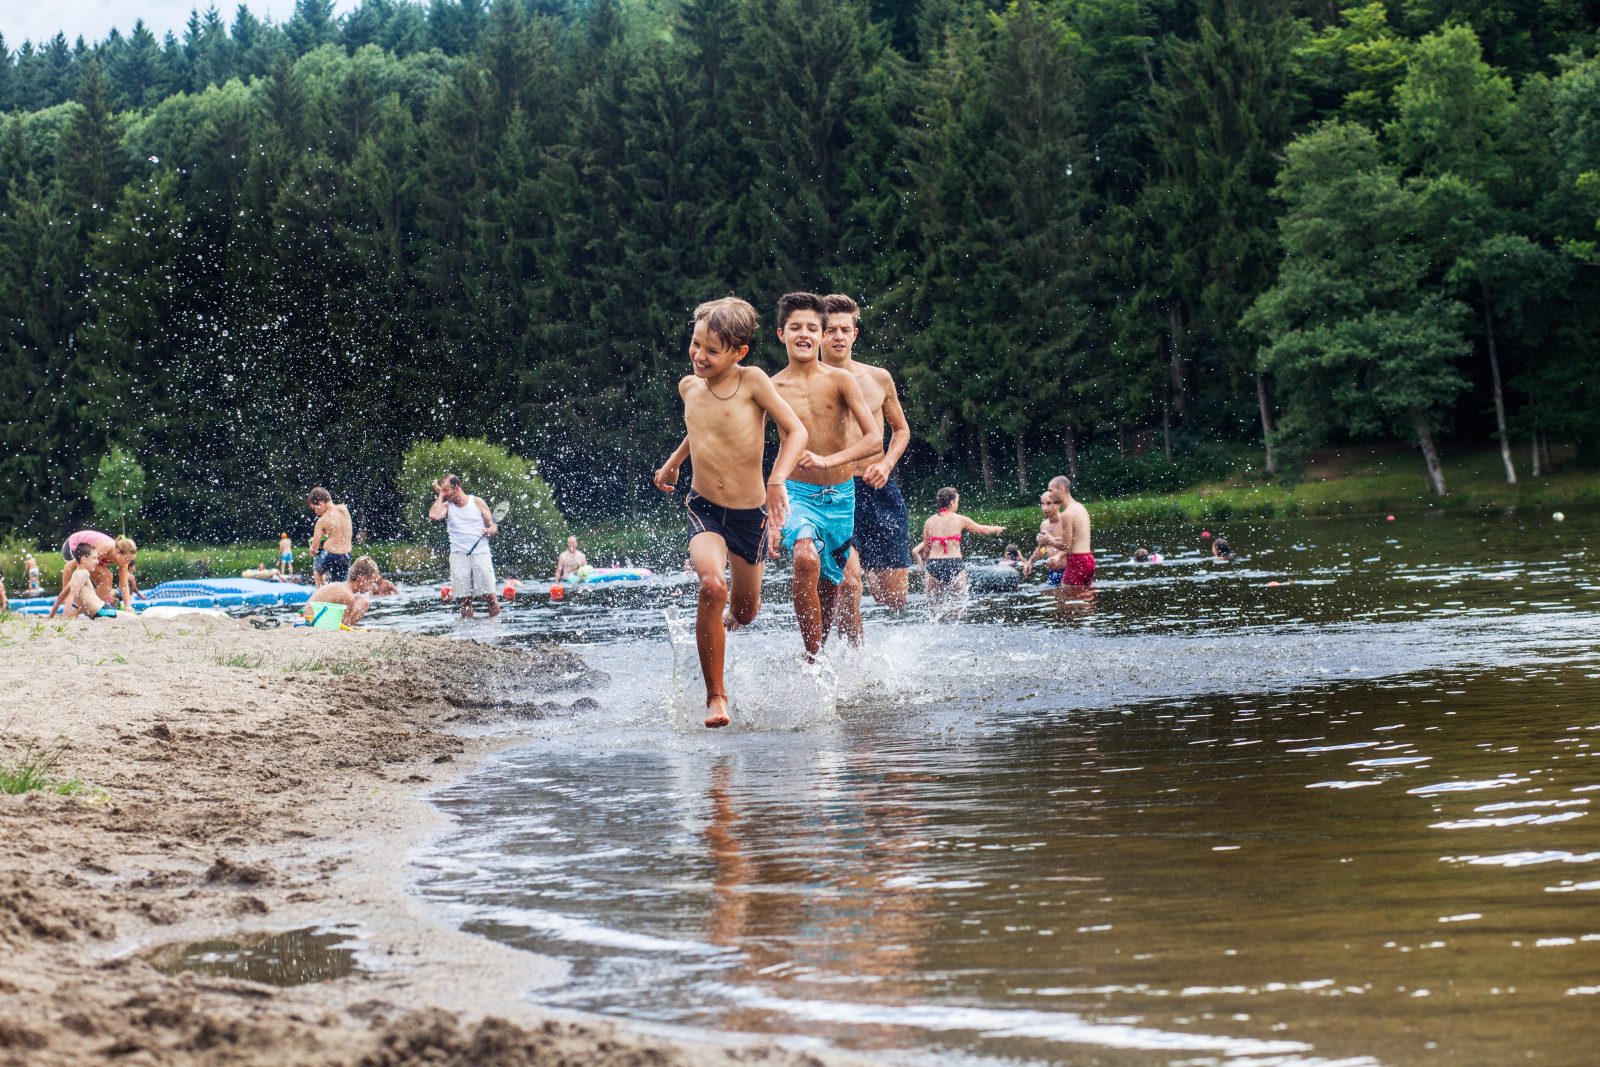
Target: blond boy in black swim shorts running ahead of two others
[(726, 409)]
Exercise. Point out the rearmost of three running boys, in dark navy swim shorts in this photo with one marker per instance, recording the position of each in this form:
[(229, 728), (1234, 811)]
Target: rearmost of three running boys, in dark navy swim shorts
[(882, 521)]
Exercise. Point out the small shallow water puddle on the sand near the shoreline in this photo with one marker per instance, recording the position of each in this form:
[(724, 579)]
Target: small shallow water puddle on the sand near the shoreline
[(294, 957)]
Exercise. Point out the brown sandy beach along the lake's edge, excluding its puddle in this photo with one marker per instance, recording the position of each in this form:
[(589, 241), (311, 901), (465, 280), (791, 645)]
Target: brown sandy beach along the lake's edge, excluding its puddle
[(242, 781)]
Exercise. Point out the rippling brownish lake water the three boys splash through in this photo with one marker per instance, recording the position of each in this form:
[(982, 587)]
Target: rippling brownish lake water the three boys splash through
[(1198, 820)]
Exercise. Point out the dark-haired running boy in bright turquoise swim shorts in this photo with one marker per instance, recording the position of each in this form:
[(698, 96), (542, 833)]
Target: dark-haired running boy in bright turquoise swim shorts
[(823, 490)]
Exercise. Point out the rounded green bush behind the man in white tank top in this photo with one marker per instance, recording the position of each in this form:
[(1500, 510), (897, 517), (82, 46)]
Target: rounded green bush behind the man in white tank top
[(534, 529)]
